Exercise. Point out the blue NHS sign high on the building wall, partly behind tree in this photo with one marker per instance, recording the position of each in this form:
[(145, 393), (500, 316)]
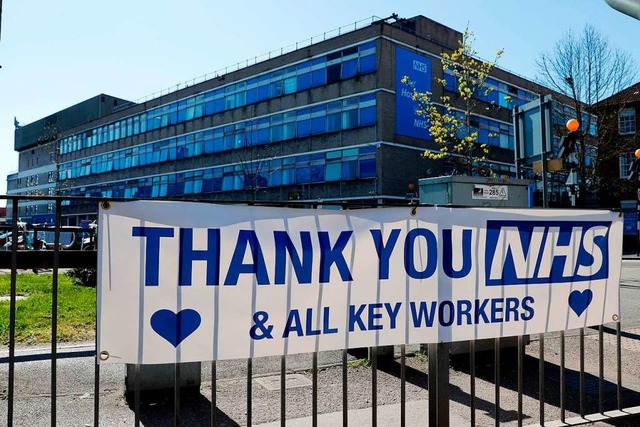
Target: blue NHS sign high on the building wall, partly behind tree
[(418, 69)]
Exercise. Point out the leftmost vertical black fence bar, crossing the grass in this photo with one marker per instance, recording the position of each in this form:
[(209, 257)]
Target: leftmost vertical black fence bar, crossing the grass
[(12, 312)]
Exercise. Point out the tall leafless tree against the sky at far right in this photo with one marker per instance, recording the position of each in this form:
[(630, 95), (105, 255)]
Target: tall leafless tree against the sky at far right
[(586, 69)]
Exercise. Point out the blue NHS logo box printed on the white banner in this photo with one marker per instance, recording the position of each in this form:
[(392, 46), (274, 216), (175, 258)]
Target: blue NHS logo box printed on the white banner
[(545, 252)]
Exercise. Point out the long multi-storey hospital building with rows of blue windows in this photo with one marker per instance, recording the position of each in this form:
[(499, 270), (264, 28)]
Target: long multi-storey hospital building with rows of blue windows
[(330, 121)]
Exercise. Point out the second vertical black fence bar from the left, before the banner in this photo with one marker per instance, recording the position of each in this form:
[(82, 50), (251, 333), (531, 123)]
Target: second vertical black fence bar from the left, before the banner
[(54, 311)]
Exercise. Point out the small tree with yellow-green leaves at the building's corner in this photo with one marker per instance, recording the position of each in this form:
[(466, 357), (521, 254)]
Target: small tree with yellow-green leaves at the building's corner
[(450, 122)]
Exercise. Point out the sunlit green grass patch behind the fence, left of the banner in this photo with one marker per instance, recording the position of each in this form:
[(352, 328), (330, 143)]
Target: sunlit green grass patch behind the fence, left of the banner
[(76, 310)]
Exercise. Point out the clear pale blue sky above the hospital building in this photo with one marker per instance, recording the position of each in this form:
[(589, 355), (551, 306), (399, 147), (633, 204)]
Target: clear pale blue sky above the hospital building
[(56, 54)]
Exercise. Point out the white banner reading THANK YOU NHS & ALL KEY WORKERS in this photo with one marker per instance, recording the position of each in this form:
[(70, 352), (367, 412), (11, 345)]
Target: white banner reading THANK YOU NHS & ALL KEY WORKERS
[(180, 282)]
